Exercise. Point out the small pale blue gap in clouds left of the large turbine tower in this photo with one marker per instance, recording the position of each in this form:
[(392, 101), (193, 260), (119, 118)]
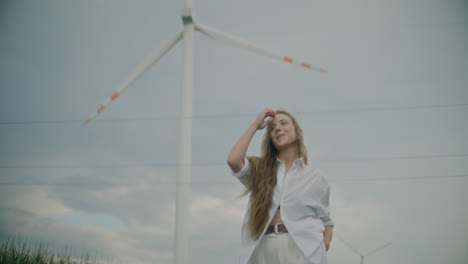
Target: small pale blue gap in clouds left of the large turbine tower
[(89, 219)]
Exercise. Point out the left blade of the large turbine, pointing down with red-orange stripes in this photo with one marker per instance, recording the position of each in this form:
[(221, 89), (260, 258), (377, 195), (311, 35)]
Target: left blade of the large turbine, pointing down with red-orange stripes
[(153, 58)]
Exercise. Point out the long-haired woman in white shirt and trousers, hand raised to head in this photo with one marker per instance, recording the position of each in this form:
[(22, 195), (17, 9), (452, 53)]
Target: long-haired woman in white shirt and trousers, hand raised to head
[(288, 219)]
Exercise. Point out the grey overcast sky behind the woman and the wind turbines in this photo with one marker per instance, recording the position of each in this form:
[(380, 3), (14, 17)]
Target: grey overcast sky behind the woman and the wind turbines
[(388, 123)]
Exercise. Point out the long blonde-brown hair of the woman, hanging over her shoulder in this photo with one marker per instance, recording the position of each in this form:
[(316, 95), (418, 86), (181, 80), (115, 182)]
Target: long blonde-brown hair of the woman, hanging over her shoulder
[(261, 180)]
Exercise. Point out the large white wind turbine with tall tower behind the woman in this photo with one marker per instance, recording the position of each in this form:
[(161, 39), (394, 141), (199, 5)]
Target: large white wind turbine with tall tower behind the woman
[(185, 115)]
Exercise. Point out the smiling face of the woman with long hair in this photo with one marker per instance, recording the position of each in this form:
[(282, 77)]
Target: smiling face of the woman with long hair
[(283, 133)]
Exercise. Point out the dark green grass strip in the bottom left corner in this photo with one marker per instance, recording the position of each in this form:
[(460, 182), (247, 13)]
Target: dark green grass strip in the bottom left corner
[(14, 252)]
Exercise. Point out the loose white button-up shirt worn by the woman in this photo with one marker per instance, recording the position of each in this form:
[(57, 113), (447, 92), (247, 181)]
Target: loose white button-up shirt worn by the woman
[(303, 194)]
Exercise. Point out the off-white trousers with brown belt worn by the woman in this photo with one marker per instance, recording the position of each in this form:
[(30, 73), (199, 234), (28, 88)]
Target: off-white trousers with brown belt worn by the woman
[(277, 249)]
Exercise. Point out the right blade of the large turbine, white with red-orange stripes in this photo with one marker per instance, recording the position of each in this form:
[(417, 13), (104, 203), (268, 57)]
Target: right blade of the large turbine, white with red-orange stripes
[(235, 41)]
